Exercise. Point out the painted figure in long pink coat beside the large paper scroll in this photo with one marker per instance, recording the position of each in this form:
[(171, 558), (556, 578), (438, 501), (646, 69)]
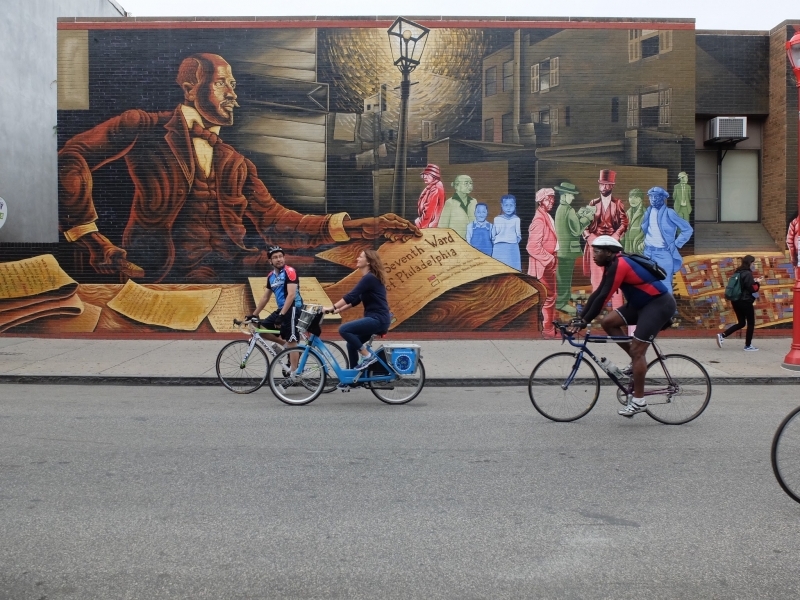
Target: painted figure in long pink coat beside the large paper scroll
[(543, 250)]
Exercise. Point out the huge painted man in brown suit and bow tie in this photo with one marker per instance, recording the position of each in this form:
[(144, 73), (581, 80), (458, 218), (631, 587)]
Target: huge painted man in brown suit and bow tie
[(193, 193)]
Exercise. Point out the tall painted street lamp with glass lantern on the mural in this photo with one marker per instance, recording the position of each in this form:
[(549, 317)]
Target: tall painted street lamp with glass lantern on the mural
[(407, 40)]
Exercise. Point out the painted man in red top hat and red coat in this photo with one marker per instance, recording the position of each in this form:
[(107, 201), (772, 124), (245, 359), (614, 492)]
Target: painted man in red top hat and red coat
[(609, 219)]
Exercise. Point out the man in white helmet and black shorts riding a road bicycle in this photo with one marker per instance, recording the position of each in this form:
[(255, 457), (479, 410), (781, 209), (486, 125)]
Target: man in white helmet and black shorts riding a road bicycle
[(649, 306)]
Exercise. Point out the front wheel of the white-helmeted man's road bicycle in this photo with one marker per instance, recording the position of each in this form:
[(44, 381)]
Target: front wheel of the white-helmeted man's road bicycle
[(553, 397)]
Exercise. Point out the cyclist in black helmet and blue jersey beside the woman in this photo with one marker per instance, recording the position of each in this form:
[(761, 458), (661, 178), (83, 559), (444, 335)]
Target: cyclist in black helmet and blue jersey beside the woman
[(284, 282)]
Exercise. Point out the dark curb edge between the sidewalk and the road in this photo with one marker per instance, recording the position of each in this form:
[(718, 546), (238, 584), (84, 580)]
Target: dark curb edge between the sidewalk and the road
[(432, 382)]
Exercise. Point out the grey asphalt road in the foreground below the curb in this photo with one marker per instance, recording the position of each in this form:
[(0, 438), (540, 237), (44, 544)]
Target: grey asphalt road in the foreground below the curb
[(150, 493)]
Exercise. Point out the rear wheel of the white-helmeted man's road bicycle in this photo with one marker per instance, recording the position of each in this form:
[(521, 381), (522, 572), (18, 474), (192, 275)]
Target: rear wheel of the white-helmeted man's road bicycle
[(677, 390)]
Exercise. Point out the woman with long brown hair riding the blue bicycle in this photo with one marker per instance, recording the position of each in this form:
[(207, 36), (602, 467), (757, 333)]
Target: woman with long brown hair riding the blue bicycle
[(371, 291)]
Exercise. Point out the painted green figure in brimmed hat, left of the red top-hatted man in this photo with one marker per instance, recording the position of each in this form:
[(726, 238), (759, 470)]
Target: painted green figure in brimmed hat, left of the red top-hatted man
[(569, 226)]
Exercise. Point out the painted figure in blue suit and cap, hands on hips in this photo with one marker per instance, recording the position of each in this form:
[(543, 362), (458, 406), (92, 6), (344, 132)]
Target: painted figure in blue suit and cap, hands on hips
[(660, 225)]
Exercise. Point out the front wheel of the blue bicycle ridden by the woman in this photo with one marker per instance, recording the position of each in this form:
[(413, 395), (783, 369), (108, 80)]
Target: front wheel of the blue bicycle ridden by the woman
[(305, 386)]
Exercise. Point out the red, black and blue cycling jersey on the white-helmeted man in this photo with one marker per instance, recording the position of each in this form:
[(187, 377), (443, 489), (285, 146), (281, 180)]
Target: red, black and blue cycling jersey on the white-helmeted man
[(638, 286)]
